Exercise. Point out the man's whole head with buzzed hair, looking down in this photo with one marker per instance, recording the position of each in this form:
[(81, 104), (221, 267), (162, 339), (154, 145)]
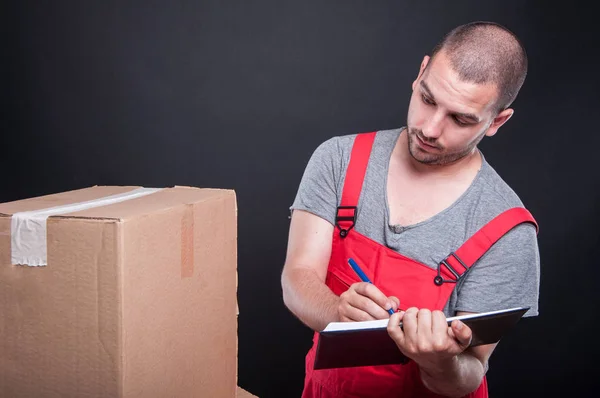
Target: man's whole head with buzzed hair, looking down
[(463, 91)]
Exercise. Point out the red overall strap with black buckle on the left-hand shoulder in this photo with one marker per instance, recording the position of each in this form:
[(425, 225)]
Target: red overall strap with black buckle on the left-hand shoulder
[(355, 175)]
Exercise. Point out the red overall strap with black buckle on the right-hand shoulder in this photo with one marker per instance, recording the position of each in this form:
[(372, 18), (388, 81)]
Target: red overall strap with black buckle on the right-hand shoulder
[(458, 262)]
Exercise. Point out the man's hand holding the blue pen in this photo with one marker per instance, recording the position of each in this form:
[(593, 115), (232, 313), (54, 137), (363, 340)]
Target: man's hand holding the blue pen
[(363, 301)]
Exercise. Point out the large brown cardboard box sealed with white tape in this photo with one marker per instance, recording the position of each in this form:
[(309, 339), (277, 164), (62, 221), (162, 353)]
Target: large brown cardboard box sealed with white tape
[(137, 299)]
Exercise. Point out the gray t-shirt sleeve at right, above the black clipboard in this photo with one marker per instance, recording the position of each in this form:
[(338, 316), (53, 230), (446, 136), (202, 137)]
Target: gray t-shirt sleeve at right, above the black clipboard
[(506, 276)]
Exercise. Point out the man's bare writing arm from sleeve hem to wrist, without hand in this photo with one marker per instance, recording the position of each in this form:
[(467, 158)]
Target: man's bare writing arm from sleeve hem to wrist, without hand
[(303, 277)]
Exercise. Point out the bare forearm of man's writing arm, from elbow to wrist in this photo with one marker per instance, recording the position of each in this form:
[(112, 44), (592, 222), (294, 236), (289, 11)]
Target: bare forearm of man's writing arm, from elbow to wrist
[(309, 298)]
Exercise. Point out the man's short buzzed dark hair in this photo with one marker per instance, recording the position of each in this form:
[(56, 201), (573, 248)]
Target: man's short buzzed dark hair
[(487, 52)]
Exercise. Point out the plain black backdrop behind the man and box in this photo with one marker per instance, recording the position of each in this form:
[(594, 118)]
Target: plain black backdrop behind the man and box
[(237, 94)]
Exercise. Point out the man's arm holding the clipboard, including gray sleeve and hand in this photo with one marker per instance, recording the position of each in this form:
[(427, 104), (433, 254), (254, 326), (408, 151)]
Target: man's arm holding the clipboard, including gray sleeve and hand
[(509, 273)]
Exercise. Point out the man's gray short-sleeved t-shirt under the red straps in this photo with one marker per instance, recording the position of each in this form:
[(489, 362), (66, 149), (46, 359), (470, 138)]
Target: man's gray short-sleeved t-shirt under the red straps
[(506, 276)]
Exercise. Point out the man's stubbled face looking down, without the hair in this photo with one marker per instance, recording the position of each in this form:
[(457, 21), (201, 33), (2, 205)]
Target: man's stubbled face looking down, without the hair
[(447, 117)]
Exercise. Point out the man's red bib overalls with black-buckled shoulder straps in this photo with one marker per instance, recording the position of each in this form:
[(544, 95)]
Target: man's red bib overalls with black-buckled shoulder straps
[(415, 284)]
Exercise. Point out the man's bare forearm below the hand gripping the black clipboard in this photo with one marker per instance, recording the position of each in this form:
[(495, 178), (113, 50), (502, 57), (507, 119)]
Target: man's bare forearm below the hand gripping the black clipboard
[(460, 376)]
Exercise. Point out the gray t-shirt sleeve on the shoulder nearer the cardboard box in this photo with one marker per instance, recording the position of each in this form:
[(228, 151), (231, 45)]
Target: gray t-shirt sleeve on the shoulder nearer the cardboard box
[(318, 190)]
